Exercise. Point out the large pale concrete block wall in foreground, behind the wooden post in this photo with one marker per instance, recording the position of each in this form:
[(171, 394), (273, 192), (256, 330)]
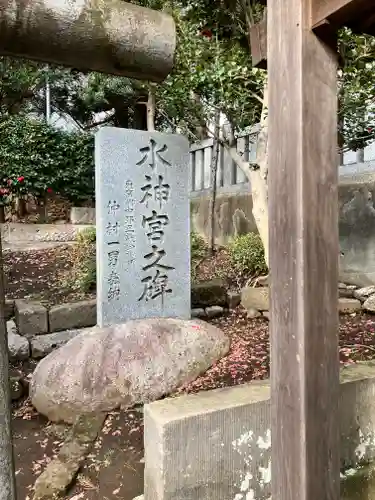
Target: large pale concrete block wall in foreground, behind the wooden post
[(216, 445)]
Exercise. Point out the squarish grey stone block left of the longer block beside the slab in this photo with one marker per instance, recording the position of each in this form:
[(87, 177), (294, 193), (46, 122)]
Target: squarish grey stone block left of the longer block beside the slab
[(31, 318)]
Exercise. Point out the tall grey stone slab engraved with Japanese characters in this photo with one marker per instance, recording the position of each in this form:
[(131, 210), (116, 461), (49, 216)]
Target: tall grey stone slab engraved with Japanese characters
[(142, 224)]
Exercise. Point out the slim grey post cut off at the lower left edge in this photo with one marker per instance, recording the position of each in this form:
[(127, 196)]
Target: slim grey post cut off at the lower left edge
[(7, 475)]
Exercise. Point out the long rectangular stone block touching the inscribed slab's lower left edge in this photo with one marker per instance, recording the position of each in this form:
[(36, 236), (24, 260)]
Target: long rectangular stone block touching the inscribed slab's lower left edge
[(69, 316)]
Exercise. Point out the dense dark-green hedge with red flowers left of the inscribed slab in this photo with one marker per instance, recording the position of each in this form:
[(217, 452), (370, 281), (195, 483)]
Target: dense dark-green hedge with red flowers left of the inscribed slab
[(47, 159)]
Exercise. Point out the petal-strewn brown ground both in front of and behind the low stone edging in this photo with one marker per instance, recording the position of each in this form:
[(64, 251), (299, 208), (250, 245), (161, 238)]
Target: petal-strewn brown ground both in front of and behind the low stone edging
[(114, 469)]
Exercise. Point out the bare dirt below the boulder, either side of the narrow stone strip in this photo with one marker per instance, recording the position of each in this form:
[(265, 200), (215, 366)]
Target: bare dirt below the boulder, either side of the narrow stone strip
[(113, 470)]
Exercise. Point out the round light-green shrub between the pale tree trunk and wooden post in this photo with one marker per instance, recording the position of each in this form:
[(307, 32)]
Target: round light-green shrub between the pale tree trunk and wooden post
[(247, 254)]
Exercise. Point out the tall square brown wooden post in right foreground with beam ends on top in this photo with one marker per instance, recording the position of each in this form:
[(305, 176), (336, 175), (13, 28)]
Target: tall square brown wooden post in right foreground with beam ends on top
[(304, 251)]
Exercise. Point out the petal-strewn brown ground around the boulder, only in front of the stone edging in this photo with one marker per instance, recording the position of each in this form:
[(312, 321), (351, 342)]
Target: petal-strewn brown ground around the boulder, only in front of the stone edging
[(114, 469)]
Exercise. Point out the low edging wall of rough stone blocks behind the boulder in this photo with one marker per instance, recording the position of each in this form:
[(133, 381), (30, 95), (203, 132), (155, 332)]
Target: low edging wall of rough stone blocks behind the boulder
[(35, 330)]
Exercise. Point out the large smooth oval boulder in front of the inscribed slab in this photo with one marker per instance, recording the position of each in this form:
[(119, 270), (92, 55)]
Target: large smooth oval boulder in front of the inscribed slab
[(122, 365)]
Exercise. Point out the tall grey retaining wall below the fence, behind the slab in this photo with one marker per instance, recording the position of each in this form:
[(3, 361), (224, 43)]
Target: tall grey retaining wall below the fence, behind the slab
[(234, 216)]
